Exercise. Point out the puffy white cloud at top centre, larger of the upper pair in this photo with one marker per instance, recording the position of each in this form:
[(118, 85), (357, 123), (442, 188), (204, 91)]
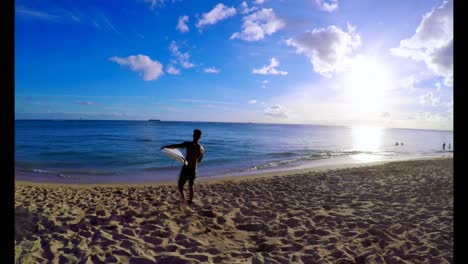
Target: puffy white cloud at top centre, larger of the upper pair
[(258, 25)]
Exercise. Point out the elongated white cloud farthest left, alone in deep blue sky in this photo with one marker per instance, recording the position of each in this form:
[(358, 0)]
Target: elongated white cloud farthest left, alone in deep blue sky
[(151, 70)]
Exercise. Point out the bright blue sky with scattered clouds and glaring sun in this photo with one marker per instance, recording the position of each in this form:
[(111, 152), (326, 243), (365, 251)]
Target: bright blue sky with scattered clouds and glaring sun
[(325, 62)]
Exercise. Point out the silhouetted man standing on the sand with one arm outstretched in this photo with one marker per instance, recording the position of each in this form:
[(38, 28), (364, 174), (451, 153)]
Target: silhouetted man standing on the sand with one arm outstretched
[(193, 156)]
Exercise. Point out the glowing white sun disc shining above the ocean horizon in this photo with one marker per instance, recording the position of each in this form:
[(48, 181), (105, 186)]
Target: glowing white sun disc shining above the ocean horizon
[(367, 83)]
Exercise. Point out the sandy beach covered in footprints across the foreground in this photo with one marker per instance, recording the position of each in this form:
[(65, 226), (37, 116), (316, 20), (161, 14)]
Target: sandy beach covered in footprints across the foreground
[(399, 212)]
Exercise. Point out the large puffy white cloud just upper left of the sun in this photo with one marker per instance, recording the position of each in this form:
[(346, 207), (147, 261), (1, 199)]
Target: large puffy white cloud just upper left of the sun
[(328, 48)]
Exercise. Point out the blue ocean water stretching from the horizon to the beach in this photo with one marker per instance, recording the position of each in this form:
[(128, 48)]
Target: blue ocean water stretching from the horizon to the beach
[(86, 151)]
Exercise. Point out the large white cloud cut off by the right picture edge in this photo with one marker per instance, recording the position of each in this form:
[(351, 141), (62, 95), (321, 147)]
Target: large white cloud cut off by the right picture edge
[(432, 42)]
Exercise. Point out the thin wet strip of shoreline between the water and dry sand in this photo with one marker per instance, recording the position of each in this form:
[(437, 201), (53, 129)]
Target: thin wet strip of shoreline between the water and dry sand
[(220, 179)]
